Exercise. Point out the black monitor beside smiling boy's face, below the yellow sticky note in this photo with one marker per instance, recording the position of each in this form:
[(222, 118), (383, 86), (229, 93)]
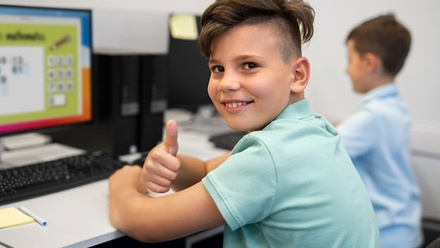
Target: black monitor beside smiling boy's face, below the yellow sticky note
[(188, 74)]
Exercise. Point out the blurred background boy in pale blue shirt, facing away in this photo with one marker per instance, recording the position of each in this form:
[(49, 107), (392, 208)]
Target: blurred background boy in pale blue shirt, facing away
[(377, 136)]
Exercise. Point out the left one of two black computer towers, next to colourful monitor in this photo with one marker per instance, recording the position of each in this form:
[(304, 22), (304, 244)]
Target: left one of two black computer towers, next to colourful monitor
[(117, 105)]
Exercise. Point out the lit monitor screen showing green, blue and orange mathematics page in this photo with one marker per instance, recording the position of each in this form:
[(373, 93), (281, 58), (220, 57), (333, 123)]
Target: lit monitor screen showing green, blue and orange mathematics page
[(45, 67)]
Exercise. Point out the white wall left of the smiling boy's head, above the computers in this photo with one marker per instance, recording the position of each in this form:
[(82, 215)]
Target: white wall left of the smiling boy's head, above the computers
[(129, 26)]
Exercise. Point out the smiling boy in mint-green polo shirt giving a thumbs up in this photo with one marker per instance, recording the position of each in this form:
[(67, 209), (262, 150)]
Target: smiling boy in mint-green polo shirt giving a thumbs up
[(288, 183)]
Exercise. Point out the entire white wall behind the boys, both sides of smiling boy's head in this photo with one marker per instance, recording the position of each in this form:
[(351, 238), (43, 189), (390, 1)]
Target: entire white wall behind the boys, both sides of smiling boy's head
[(329, 89)]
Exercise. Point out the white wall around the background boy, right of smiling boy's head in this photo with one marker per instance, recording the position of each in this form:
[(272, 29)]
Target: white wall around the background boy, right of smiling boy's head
[(330, 88)]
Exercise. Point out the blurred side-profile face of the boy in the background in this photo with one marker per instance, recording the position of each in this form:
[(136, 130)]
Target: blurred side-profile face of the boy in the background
[(357, 69)]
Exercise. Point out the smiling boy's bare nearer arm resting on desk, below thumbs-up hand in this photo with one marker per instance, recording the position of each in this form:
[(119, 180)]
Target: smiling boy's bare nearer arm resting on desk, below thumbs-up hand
[(158, 219)]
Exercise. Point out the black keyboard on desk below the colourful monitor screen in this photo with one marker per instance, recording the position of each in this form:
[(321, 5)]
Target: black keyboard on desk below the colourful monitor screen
[(19, 183)]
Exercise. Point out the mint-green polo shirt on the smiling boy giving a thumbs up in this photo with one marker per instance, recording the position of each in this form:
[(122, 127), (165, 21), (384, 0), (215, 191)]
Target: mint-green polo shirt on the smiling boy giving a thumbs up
[(293, 184)]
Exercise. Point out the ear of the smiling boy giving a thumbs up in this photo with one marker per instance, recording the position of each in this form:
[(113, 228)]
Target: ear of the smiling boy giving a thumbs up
[(301, 75)]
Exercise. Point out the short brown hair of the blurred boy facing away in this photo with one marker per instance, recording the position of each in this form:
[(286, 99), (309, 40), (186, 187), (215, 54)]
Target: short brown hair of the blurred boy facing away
[(385, 37)]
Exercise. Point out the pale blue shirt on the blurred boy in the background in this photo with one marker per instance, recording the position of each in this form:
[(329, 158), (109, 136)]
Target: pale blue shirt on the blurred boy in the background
[(377, 137)]
